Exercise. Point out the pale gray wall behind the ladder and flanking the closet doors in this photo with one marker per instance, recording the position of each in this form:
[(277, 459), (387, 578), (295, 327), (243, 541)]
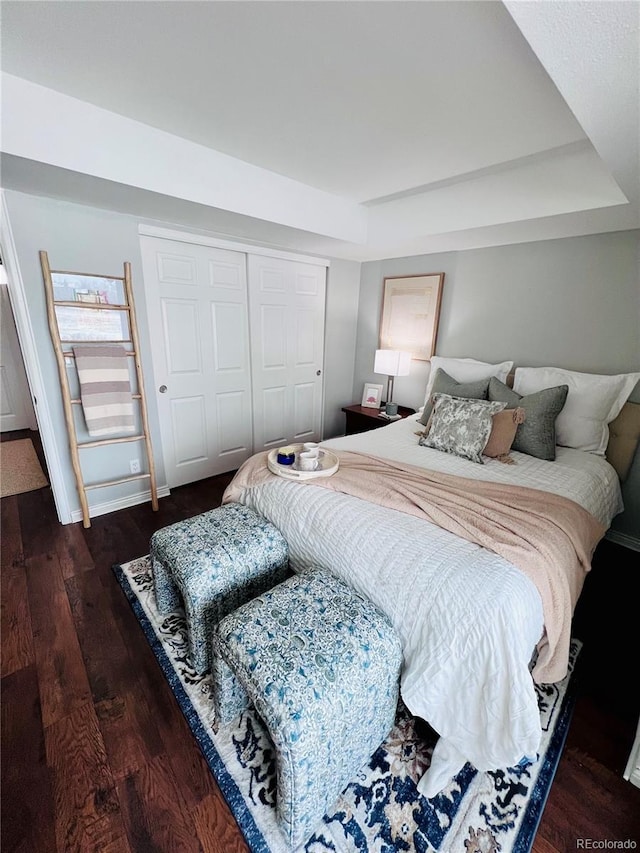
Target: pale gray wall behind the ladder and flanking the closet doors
[(89, 239)]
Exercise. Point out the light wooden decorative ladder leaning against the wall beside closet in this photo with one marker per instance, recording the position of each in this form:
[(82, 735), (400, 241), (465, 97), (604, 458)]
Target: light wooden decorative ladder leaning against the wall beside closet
[(128, 309)]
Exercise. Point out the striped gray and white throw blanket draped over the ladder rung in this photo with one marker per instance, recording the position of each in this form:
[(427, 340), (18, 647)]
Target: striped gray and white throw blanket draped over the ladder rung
[(105, 389)]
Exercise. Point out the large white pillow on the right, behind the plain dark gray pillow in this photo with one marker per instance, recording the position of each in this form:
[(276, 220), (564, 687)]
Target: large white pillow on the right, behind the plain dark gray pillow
[(593, 401)]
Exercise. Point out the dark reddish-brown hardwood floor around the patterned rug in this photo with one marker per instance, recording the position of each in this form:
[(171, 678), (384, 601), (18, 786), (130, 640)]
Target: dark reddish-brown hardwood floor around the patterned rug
[(97, 756)]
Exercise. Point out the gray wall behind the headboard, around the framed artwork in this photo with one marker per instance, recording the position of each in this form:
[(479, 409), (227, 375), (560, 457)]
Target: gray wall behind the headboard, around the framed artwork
[(573, 303)]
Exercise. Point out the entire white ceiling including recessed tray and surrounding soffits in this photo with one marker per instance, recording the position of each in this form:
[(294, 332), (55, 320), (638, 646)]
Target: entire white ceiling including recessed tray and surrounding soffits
[(423, 119)]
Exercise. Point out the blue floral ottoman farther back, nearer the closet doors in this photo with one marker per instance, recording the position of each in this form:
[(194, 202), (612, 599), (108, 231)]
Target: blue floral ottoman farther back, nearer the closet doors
[(215, 562)]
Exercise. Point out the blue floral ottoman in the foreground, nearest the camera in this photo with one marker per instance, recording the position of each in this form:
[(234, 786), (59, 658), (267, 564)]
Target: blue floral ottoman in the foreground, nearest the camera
[(321, 666)]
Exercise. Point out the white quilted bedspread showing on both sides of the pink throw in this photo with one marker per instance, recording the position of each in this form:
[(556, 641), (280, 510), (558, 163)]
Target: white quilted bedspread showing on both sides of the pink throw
[(468, 619)]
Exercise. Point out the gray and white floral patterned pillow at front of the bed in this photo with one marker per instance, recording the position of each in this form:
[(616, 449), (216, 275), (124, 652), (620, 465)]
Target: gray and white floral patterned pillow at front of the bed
[(461, 426)]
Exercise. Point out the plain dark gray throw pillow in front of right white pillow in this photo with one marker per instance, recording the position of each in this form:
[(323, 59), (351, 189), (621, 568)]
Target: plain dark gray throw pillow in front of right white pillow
[(537, 435)]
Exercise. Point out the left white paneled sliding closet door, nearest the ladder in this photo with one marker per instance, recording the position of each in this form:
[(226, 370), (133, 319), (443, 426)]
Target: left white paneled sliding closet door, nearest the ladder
[(200, 342)]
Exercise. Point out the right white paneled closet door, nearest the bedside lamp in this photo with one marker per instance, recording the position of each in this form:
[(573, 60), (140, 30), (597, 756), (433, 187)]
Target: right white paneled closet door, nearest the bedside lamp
[(286, 309)]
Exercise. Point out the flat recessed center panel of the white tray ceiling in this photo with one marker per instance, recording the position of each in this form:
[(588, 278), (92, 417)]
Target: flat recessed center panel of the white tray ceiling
[(358, 99)]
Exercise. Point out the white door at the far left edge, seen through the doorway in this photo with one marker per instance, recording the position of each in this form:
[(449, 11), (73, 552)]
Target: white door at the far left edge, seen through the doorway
[(16, 410)]
